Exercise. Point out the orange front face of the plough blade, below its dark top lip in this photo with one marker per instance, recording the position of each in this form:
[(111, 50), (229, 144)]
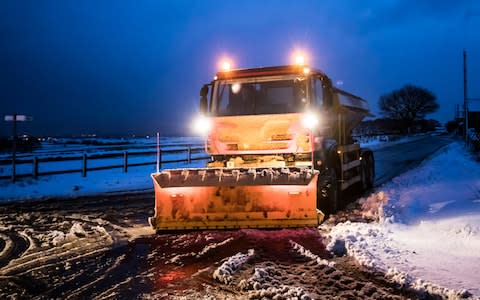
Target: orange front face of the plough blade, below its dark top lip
[(230, 206)]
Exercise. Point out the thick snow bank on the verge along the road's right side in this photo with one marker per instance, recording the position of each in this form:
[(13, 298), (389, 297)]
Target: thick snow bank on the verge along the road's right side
[(428, 236)]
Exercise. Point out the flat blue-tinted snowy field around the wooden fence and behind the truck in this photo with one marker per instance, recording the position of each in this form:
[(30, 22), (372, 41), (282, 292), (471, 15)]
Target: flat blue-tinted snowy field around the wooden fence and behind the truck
[(106, 181)]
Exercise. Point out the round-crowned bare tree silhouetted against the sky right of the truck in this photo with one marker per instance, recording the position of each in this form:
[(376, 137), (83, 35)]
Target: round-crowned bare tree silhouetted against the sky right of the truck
[(408, 104)]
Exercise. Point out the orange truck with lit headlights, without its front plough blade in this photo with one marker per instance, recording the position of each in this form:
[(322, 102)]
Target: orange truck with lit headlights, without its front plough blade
[(286, 116)]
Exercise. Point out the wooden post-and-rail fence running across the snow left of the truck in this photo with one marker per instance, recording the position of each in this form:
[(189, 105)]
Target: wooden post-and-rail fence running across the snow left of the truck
[(83, 160)]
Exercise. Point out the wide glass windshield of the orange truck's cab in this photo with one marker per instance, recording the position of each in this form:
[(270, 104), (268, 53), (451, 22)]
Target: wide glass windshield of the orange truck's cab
[(259, 96)]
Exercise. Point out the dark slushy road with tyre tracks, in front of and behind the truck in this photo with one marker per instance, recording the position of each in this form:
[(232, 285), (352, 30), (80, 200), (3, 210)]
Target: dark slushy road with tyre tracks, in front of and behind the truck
[(101, 247)]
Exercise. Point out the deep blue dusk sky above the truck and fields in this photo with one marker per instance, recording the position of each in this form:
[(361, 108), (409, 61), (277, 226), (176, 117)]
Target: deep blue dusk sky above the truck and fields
[(135, 67)]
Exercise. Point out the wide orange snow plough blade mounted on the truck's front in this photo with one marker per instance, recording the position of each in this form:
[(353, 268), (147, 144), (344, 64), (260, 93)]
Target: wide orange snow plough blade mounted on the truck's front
[(223, 198)]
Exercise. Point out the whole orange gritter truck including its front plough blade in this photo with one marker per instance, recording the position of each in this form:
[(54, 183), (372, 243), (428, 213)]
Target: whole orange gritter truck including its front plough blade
[(281, 149)]
